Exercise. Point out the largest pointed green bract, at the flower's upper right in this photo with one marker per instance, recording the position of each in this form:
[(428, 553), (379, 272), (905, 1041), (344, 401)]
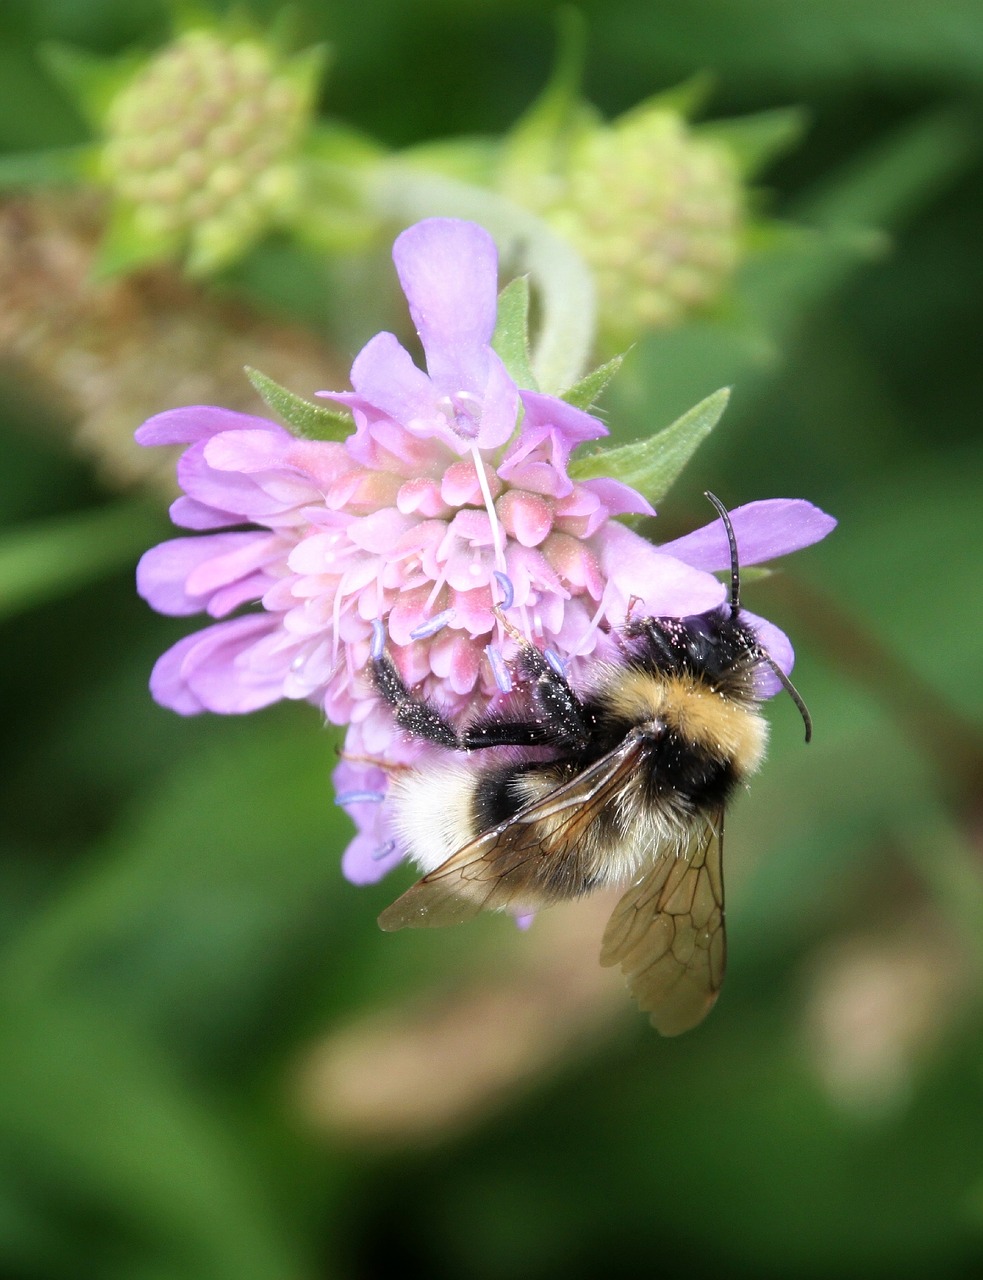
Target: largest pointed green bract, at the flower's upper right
[(653, 467)]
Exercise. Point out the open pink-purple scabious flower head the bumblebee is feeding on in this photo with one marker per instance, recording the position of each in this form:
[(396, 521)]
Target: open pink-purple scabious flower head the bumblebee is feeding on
[(450, 501)]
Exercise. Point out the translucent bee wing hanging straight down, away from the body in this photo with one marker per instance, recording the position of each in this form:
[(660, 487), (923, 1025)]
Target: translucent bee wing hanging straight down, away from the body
[(667, 932)]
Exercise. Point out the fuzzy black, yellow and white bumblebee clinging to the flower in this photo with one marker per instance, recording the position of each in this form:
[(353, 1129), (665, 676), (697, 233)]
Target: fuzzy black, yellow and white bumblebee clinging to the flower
[(628, 787)]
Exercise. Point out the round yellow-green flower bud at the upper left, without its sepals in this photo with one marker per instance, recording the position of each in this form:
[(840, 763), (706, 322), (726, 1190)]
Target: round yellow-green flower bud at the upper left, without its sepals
[(202, 147)]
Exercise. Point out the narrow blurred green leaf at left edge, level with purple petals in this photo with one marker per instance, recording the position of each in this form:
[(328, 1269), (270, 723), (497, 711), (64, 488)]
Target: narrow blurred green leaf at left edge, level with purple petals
[(44, 561)]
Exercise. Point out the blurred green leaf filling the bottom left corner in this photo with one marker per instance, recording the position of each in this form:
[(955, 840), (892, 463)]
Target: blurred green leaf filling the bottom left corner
[(130, 1173)]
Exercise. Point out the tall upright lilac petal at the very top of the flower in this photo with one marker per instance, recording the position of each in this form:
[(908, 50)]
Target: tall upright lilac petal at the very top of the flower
[(449, 271)]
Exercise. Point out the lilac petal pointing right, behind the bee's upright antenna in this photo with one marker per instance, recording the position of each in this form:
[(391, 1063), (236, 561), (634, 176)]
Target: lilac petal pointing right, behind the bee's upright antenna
[(765, 532)]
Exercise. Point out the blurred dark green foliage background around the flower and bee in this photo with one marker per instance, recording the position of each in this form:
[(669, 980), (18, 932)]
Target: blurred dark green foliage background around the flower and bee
[(212, 1062)]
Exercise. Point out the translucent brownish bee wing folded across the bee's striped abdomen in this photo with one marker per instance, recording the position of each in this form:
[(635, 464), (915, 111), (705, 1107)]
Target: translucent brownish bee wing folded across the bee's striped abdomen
[(519, 865)]
